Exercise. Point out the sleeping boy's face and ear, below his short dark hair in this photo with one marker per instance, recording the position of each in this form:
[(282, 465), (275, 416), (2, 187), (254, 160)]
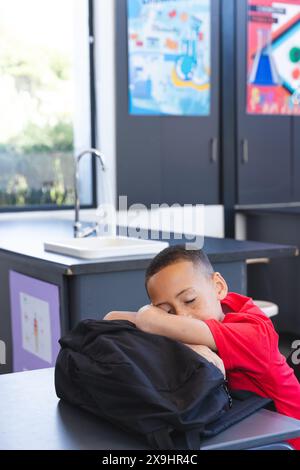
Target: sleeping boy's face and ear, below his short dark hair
[(183, 289)]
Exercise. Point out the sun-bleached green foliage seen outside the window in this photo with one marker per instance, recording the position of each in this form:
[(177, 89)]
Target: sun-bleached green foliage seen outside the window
[(36, 128)]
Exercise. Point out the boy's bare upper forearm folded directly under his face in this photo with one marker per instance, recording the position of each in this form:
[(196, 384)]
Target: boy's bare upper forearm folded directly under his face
[(185, 329)]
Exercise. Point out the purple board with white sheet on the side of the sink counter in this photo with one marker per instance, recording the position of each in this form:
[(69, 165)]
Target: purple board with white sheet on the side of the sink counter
[(35, 322)]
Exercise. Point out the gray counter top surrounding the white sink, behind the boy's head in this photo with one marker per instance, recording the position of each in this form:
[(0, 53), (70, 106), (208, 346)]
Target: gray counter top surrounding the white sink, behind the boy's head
[(26, 237)]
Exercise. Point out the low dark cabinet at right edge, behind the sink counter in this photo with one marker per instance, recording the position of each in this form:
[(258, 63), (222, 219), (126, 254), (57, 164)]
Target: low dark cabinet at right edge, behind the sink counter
[(279, 281)]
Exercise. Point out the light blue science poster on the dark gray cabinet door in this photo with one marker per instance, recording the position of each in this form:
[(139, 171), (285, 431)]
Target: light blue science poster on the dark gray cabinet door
[(169, 55)]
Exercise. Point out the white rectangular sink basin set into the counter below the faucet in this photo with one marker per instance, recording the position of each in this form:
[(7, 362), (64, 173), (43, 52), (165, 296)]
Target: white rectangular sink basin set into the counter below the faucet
[(105, 247)]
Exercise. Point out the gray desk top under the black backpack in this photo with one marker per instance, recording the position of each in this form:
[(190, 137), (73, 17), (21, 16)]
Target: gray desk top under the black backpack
[(31, 417)]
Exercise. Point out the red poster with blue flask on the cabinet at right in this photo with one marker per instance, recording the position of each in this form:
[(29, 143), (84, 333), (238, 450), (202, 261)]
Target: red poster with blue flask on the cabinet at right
[(273, 57)]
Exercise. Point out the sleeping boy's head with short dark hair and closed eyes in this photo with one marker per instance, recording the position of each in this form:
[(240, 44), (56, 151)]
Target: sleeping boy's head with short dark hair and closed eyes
[(183, 282)]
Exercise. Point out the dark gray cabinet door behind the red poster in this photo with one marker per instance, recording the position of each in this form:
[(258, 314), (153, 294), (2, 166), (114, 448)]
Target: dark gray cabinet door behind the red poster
[(264, 147)]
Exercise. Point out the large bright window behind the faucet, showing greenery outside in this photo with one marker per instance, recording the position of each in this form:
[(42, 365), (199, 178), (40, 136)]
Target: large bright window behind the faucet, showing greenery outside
[(44, 102)]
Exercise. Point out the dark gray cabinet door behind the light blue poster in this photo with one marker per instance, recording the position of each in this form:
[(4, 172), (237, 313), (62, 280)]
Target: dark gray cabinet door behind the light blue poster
[(162, 159)]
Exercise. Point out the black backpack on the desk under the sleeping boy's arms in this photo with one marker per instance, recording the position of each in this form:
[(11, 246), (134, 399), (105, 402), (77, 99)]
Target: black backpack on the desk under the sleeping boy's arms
[(146, 384)]
